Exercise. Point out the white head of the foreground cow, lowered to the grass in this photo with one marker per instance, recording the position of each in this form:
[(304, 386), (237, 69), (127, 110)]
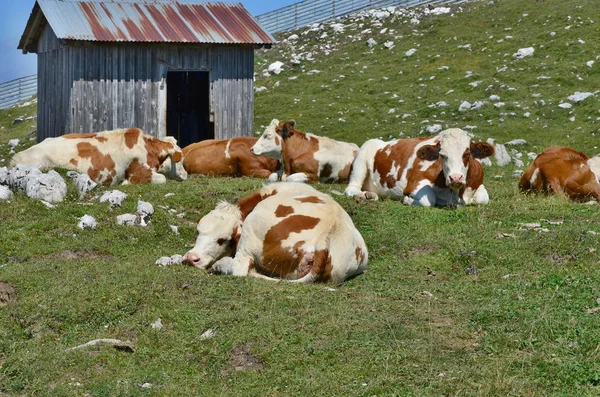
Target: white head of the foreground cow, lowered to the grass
[(218, 233)]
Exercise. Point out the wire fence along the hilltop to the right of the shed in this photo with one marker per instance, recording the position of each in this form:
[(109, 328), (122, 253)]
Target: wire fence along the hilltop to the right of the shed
[(308, 12)]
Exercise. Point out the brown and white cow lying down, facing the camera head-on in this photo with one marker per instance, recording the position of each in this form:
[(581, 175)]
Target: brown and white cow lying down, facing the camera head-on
[(433, 171)]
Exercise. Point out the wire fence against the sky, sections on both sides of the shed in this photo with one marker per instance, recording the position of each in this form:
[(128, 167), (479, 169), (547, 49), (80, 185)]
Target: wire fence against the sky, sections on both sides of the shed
[(295, 16)]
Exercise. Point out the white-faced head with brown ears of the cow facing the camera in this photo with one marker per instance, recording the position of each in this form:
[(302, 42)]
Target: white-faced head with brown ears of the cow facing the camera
[(455, 149)]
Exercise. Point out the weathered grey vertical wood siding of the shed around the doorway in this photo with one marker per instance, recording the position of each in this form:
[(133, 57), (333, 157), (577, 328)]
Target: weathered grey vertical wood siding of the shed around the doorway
[(89, 87)]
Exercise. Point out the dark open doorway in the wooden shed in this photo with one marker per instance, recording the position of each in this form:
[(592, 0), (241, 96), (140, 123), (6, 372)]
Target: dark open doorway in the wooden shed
[(188, 118)]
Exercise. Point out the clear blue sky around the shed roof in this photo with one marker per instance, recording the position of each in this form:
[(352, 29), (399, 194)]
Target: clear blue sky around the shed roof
[(15, 13)]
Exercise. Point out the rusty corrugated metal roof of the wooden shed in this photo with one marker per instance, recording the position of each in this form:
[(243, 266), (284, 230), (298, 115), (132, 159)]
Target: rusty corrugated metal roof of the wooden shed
[(168, 21)]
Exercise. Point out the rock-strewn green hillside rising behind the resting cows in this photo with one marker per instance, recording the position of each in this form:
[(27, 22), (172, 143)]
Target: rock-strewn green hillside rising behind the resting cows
[(335, 84)]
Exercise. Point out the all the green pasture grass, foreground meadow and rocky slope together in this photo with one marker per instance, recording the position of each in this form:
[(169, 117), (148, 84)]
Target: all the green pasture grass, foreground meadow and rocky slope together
[(472, 301)]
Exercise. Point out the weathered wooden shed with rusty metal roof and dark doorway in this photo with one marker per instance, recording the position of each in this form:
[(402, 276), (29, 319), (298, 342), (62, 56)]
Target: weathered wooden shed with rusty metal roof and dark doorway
[(180, 68)]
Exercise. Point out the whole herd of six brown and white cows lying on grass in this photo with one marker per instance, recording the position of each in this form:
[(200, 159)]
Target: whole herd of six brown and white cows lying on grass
[(288, 229)]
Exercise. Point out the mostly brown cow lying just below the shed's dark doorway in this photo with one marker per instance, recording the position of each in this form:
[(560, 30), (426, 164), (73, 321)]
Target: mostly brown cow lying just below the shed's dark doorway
[(230, 157)]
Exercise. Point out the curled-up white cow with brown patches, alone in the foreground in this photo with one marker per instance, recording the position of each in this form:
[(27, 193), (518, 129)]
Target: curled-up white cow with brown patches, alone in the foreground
[(284, 230)]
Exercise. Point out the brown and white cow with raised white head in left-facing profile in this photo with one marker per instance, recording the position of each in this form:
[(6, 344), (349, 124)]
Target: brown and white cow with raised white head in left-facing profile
[(306, 157)]
